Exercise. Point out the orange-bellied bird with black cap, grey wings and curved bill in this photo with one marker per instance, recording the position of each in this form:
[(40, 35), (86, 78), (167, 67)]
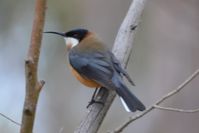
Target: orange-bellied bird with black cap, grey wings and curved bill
[(95, 66)]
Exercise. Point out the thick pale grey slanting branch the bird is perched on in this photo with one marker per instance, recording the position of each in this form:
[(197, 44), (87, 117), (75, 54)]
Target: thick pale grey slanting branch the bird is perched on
[(122, 49)]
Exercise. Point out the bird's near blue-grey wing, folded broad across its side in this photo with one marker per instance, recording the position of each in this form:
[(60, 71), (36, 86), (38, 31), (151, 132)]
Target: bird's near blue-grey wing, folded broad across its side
[(95, 66)]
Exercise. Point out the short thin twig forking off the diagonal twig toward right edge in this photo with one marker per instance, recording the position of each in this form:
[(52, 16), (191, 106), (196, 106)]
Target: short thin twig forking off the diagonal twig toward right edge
[(176, 109)]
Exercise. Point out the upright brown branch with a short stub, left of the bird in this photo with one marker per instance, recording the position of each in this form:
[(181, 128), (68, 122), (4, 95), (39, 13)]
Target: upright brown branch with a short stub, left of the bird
[(33, 86)]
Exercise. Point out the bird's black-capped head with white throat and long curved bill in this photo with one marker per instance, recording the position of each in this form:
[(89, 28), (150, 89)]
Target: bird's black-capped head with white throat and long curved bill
[(73, 37)]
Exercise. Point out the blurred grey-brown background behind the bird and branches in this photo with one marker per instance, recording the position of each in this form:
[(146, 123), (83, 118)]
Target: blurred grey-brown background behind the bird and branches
[(165, 53)]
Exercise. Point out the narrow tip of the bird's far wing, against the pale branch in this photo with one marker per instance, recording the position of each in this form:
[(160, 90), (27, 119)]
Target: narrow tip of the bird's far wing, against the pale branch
[(119, 68)]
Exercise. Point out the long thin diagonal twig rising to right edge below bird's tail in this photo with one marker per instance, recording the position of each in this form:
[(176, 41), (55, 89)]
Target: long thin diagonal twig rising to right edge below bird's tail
[(173, 92)]
